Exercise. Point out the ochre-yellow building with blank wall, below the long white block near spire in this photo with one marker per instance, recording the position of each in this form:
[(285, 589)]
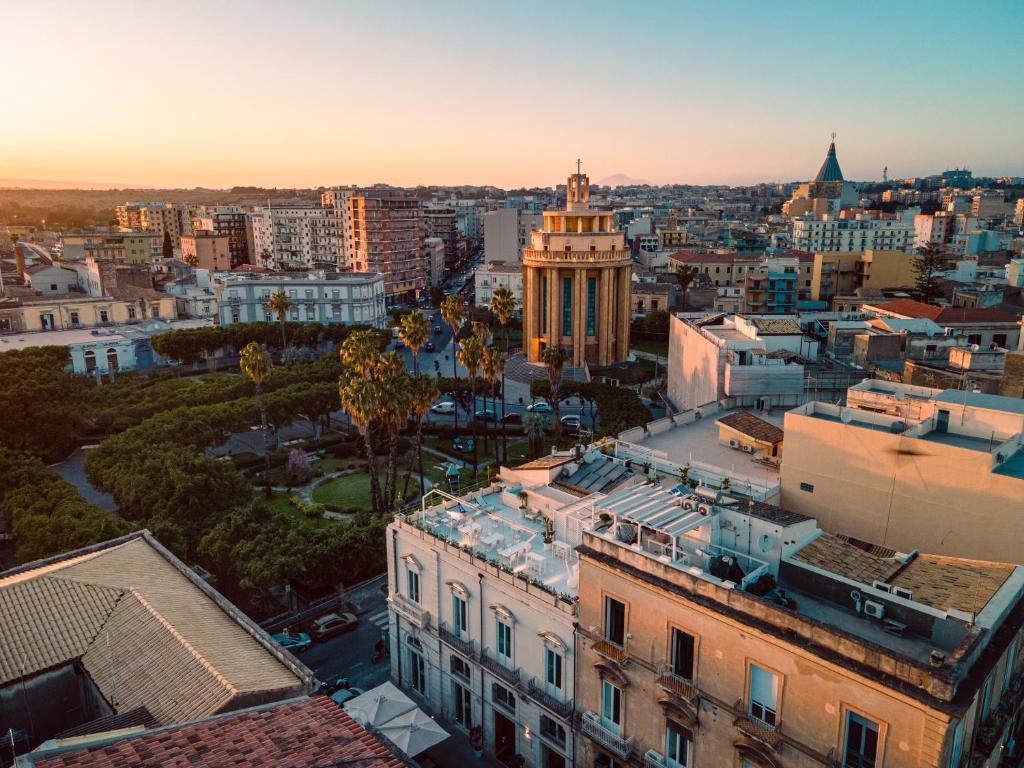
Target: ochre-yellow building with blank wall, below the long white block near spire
[(842, 274)]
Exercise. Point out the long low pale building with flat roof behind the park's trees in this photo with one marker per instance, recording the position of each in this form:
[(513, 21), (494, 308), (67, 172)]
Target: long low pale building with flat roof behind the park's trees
[(317, 297)]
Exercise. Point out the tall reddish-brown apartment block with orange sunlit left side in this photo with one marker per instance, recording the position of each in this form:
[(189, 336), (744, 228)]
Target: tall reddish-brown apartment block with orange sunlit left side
[(388, 238)]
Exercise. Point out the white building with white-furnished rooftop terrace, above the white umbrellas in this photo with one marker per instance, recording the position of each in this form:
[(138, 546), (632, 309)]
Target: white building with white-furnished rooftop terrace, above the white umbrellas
[(483, 610)]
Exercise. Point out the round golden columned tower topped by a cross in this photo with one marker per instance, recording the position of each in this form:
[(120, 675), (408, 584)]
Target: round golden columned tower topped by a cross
[(577, 281)]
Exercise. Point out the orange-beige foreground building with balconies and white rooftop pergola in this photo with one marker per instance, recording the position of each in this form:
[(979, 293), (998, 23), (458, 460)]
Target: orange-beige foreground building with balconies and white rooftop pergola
[(715, 631)]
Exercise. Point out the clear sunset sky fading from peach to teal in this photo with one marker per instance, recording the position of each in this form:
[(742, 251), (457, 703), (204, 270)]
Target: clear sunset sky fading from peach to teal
[(308, 94)]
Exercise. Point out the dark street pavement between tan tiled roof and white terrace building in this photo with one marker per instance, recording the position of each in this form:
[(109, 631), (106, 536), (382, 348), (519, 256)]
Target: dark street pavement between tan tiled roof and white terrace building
[(352, 655)]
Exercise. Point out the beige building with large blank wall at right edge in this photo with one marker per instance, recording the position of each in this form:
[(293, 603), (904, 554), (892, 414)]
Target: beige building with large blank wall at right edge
[(908, 466)]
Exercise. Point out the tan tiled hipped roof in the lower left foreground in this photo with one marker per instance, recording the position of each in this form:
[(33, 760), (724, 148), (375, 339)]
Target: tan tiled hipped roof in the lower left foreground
[(145, 628)]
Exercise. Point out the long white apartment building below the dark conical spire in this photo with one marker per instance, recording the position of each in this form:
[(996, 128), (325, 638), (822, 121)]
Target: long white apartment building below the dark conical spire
[(828, 235)]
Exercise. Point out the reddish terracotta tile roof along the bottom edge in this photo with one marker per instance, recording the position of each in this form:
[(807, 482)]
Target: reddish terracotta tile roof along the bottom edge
[(303, 734)]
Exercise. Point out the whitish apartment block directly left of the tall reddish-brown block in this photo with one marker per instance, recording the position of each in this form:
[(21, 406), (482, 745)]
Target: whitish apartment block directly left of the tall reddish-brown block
[(302, 236)]
